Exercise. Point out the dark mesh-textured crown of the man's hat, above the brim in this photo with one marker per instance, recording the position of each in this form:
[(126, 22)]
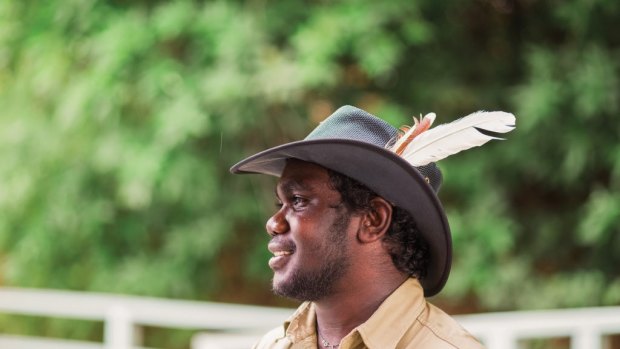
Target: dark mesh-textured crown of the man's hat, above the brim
[(349, 122)]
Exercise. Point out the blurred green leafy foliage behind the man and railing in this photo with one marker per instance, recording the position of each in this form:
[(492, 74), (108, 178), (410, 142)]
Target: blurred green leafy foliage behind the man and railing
[(120, 119)]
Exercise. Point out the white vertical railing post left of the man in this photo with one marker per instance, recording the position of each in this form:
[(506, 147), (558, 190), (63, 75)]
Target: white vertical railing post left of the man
[(118, 329)]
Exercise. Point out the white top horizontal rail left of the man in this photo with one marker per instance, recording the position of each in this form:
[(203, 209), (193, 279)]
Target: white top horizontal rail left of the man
[(141, 310)]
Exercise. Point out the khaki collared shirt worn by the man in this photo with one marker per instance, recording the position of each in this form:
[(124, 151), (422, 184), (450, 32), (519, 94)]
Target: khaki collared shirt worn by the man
[(405, 320)]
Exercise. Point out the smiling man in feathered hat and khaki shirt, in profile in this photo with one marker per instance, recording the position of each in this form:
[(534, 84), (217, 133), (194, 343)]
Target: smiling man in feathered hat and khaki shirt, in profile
[(359, 233)]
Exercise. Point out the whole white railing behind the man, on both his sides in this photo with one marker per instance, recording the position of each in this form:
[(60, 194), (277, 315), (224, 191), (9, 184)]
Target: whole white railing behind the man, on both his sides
[(227, 326)]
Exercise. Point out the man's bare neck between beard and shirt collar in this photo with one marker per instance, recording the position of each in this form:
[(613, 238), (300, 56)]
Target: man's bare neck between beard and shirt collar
[(340, 313)]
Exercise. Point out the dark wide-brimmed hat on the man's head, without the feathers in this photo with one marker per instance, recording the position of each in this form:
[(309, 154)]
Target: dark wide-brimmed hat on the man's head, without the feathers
[(353, 142)]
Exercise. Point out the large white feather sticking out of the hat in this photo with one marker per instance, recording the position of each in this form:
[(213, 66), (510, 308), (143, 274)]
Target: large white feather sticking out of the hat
[(448, 139)]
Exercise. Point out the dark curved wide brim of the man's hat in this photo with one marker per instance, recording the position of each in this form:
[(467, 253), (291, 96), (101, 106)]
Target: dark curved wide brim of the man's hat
[(385, 173)]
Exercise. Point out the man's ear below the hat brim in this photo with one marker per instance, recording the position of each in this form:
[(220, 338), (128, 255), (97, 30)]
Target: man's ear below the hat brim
[(376, 221)]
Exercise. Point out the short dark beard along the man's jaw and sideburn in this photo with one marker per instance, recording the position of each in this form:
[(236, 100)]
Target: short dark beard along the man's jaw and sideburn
[(312, 285)]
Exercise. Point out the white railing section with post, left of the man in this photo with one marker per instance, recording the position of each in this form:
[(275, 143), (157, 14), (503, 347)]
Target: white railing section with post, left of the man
[(124, 315)]
